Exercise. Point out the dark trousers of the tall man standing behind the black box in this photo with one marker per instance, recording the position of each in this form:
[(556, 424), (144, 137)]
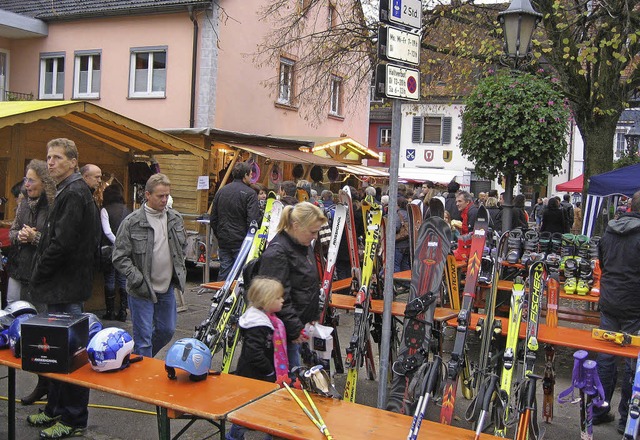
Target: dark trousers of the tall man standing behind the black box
[(65, 400)]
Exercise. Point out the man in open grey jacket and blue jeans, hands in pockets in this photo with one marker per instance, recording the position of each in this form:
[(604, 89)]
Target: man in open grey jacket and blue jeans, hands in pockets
[(149, 251)]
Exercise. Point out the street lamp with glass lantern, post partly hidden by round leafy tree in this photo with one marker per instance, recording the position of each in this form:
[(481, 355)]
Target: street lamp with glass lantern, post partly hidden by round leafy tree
[(518, 23)]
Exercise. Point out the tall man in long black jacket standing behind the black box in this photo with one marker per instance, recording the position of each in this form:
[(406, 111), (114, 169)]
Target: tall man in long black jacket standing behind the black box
[(63, 276)]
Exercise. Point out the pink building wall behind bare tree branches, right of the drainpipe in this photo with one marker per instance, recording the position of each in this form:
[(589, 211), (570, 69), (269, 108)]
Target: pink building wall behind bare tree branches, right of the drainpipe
[(243, 101)]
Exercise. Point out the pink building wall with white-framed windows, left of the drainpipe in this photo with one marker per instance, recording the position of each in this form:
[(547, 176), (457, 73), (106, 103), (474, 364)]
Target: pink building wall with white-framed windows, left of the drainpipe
[(115, 37)]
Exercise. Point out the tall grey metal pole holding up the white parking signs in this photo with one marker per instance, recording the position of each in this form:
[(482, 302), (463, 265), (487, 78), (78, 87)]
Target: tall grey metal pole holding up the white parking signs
[(385, 344)]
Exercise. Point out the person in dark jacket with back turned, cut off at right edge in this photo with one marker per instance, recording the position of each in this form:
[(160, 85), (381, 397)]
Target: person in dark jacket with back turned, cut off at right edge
[(619, 250)]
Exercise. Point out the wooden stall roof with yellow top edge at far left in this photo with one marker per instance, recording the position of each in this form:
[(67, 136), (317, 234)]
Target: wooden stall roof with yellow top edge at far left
[(111, 128)]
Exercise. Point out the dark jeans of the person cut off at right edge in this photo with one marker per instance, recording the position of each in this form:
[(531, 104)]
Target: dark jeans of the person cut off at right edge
[(608, 369)]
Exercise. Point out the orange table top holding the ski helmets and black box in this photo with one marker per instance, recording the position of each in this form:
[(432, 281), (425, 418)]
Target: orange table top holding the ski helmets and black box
[(147, 382)]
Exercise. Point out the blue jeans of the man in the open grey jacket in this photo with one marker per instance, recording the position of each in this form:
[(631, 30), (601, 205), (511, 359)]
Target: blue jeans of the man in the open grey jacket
[(153, 324)]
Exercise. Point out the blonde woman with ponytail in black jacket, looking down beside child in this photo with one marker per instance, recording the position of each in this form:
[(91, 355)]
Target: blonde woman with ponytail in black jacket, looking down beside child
[(289, 258)]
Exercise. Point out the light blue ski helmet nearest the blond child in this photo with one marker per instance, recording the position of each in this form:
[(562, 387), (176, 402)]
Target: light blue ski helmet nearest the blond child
[(190, 355)]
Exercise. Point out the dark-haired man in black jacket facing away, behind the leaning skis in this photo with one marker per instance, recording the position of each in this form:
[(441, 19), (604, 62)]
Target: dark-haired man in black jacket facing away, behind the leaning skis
[(235, 206)]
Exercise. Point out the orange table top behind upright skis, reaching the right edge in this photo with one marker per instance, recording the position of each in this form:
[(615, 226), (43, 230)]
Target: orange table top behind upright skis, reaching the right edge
[(564, 336)]
